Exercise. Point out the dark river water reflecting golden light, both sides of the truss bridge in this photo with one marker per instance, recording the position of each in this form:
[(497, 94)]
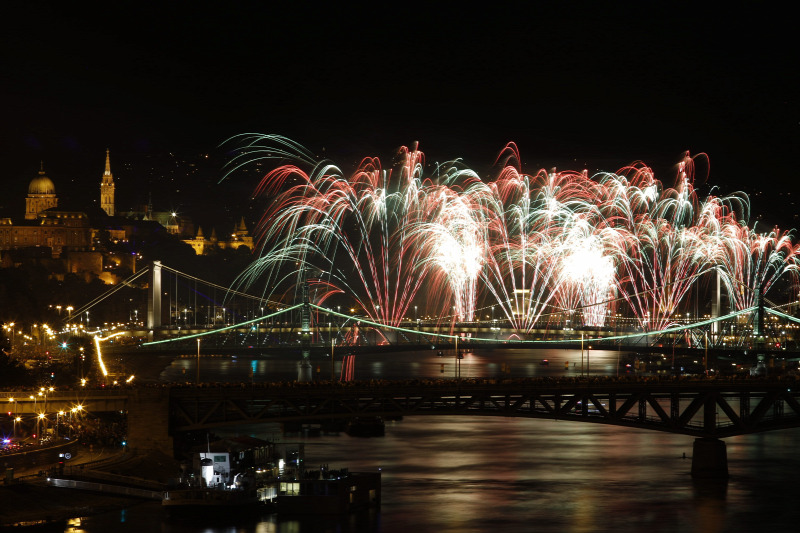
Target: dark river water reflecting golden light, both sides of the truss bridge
[(479, 474)]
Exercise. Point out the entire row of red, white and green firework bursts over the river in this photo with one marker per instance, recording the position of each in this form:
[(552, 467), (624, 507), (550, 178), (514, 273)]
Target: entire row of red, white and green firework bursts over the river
[(534, 245)]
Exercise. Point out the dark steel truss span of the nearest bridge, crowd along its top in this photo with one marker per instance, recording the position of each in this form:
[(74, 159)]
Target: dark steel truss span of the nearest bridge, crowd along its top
[(700, 408)]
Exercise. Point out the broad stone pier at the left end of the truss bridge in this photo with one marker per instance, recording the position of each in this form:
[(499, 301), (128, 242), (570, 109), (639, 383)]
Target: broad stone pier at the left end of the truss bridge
[(148, 420)]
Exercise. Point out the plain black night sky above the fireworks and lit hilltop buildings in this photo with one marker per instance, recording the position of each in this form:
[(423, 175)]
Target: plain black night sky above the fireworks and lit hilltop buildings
[(575, 85)]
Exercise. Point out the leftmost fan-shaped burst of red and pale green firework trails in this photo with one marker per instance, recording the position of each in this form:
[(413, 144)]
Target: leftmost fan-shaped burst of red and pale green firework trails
[(320, 220)]
